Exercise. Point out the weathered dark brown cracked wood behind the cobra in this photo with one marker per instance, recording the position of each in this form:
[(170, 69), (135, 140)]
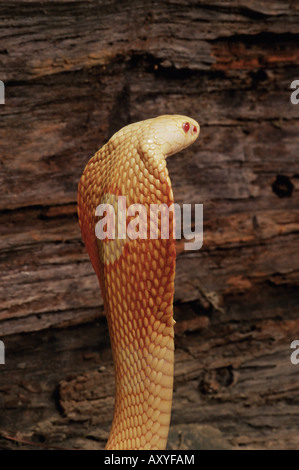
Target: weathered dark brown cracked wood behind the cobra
[(77, 71)]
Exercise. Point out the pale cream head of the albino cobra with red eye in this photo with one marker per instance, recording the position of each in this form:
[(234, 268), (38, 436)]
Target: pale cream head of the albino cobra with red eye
[(172, 133)]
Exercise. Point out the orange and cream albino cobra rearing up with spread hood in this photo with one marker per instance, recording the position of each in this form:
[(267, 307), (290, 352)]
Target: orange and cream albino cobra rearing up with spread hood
[(136, 276)]
